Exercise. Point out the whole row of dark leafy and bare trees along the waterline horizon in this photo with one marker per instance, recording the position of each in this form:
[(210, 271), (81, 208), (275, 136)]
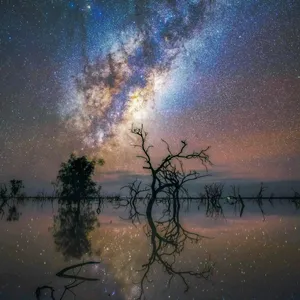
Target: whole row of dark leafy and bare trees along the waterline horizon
[(74, 182)]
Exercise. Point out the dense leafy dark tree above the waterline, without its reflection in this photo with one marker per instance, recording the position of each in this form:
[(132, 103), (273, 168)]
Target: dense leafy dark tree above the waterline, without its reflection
[(74, 180)]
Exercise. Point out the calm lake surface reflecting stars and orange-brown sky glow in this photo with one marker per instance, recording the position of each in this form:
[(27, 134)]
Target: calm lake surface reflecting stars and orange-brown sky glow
[(248, 258)]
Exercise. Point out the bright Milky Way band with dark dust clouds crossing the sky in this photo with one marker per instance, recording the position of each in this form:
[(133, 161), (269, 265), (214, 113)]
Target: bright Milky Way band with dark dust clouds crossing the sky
[(118, 86)]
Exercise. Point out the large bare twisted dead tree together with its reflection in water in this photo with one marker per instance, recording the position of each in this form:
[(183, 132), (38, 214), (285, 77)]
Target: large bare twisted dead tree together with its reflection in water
[(167, 235)]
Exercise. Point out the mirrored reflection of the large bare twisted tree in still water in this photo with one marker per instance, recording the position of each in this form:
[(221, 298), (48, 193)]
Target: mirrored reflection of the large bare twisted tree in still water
[(168, 239)]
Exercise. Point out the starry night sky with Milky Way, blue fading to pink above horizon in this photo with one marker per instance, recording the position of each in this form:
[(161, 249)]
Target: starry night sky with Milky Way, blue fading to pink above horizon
[(76, 74)]
